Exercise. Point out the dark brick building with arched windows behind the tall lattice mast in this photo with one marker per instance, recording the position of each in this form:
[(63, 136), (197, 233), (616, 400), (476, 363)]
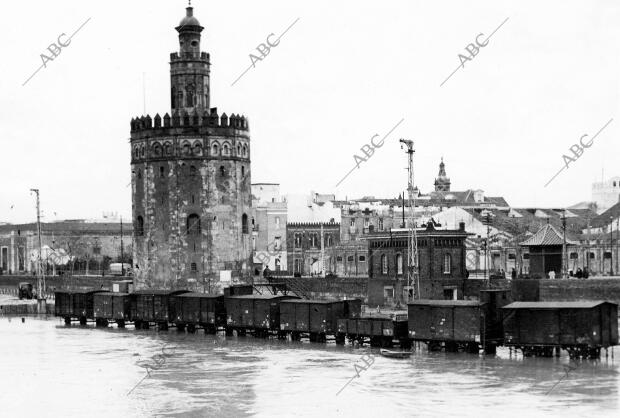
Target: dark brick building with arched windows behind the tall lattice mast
[(441, 255)]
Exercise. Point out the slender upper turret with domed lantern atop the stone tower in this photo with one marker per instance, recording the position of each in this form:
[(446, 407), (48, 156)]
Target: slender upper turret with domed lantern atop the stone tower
[(189, 69)]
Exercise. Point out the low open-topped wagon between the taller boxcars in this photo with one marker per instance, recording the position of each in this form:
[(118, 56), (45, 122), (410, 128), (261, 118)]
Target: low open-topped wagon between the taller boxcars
[(381, 330)]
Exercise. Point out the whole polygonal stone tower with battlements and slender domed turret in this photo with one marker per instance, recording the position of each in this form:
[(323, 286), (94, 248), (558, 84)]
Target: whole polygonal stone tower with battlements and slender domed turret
[(191, 182)]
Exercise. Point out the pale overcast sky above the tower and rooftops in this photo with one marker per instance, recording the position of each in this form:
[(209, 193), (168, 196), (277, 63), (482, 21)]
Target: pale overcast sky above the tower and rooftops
[(346, 71)]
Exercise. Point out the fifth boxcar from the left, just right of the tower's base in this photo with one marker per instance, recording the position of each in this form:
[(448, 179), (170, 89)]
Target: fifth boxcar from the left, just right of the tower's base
[(259, 314)]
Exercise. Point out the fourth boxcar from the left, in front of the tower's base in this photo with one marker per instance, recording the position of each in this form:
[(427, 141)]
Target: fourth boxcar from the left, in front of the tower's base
[(199, 309)]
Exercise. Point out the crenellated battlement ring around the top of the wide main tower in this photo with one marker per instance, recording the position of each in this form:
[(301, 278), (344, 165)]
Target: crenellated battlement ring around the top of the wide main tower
[(145, 126)]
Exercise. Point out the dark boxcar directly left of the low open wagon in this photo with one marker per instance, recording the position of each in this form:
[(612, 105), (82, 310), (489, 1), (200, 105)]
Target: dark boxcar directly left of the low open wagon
[(315, 318)]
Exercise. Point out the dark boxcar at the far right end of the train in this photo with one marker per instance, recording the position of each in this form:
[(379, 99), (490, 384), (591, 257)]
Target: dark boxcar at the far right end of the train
[(582, 328)]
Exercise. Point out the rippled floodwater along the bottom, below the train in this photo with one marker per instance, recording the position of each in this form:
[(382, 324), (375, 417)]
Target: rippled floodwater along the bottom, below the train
[(49, 369)]
